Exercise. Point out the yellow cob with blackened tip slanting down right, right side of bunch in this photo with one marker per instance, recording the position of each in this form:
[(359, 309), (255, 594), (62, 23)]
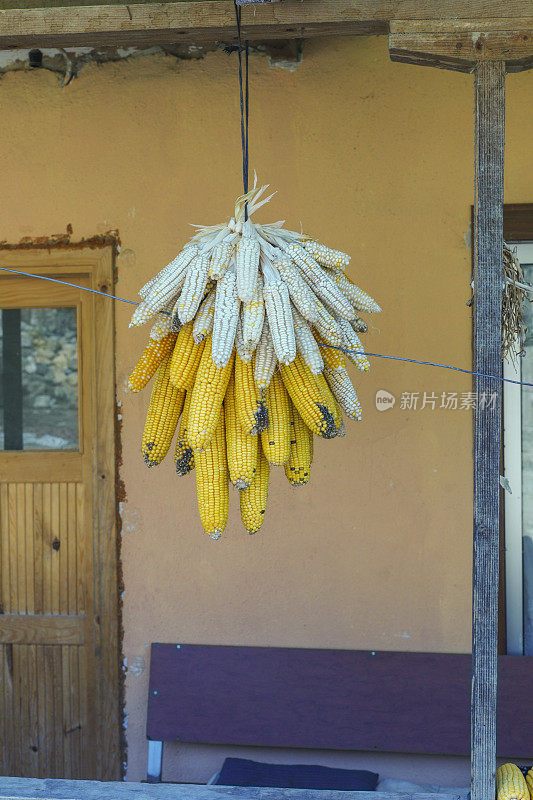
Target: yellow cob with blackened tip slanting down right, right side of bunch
[(303, 389)]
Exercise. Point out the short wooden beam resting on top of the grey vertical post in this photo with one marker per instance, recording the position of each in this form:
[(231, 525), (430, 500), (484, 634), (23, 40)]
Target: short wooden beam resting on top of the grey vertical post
[(443, 44)]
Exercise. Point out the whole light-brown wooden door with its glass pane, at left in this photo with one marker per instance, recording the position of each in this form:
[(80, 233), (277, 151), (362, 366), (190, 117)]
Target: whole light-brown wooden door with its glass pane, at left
[(59, 663)]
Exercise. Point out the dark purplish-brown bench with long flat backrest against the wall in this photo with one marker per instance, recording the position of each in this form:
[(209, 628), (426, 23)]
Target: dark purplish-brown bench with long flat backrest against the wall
[(327, 699)]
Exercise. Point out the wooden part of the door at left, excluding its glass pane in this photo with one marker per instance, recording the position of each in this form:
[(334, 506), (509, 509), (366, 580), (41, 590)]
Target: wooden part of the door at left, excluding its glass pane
[(59, 693)]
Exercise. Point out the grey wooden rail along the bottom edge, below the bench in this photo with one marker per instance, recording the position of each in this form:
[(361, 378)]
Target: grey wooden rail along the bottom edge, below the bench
[(17, 788)]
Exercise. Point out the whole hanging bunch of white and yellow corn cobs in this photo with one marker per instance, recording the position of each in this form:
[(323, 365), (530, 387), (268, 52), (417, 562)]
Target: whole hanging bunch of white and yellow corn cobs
[(252, 328)]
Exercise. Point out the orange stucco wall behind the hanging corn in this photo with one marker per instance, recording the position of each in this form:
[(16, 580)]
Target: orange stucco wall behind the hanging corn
[(377, 159)]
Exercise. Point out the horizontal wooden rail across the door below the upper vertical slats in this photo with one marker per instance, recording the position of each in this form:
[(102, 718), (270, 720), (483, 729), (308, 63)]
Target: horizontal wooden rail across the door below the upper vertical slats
[(40, 629)]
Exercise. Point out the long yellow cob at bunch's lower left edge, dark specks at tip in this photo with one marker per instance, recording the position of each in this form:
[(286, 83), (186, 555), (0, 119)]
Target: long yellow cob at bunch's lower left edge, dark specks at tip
[(164, 410)]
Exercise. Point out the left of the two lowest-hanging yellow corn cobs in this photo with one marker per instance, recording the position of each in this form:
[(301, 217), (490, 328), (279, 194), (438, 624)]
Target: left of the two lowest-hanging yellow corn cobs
[(212, 483)]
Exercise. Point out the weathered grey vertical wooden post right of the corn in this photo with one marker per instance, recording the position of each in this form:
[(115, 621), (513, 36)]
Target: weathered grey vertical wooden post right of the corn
[(488, 244)]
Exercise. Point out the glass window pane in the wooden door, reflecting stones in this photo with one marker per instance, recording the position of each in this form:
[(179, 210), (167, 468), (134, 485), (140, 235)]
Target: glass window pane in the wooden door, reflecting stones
[(38, 379)]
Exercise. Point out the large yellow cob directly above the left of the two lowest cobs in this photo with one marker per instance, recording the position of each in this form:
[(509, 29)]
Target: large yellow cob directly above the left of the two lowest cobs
[(207, 396)]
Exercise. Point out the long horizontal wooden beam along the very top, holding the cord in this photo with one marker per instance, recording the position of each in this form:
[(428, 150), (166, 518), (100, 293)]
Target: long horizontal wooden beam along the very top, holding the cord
[(214, 20)]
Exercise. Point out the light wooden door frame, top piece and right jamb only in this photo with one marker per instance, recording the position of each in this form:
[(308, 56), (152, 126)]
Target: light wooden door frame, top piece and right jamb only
[(94, 268)]
